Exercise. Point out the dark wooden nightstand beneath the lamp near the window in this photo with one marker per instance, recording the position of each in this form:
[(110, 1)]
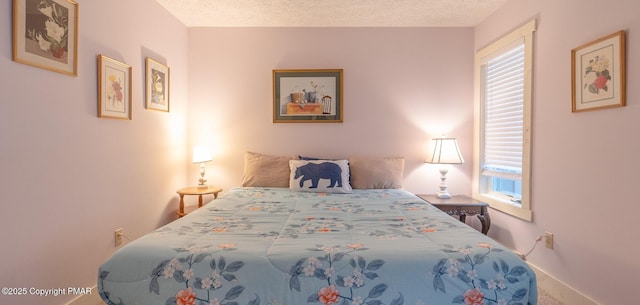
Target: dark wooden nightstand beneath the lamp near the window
[(462, 206)]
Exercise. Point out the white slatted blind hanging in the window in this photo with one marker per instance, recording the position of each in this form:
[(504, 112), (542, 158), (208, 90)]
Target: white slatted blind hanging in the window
[(503, 75)]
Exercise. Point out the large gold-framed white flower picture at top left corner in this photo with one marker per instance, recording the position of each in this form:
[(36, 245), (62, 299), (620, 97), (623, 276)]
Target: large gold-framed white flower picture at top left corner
[(45, 34)]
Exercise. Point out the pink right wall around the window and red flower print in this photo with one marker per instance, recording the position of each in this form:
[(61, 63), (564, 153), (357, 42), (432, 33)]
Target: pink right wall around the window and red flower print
[(585, 165)]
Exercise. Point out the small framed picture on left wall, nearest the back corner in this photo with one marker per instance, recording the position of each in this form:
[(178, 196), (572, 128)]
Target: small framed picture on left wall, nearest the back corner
[(157, 85)]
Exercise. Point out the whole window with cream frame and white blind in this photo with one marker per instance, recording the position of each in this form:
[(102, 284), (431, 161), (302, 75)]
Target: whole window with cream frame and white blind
[(502, 147)]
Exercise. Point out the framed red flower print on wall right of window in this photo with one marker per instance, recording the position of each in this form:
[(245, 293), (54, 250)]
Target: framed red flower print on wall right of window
[(598, 71)]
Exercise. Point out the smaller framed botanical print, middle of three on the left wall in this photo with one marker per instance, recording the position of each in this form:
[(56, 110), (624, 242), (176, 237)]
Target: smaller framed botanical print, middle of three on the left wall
[(114, 89)]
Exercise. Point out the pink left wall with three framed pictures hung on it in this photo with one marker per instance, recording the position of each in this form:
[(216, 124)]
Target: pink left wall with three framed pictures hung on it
[(68, 178)]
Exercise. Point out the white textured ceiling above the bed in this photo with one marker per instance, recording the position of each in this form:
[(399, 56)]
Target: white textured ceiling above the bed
[(331, 13)]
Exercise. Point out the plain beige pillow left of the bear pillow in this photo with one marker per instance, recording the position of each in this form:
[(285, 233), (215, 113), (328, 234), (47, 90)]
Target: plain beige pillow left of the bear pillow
[(266, 171)]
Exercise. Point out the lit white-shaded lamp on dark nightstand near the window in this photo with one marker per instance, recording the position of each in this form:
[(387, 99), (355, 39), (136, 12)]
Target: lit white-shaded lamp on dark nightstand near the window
[(446, 151)]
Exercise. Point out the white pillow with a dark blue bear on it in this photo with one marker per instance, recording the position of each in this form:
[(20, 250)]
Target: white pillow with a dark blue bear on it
[(322, 176)]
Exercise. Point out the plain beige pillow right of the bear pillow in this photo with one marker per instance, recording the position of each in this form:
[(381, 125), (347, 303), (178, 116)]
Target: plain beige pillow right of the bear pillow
[(376, 173)]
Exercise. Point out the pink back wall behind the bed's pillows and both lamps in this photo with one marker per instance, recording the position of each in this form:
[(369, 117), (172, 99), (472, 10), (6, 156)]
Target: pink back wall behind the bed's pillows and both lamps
[(402, 87)]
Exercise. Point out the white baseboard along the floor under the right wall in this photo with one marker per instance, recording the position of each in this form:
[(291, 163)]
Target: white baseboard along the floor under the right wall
[(559, 290)]
